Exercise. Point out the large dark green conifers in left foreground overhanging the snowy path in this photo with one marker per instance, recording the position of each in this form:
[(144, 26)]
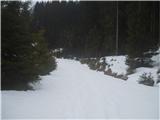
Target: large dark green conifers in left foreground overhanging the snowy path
[(19, 57)]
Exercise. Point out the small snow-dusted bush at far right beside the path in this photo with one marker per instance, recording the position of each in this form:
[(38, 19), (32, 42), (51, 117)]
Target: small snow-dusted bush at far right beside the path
[(146, 79)]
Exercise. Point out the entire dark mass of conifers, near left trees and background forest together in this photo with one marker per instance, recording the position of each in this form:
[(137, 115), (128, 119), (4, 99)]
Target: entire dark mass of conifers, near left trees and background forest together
[(83, 29)]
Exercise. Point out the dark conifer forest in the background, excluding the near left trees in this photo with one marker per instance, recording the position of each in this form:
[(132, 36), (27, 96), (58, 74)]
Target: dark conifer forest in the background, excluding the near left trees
[(89, 29)]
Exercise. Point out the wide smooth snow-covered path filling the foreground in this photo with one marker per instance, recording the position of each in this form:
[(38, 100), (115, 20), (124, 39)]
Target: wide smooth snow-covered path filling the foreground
[(74, 91)]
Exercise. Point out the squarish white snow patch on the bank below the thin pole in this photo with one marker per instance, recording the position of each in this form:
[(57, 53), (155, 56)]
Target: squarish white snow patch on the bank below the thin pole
[(117, 64)]
